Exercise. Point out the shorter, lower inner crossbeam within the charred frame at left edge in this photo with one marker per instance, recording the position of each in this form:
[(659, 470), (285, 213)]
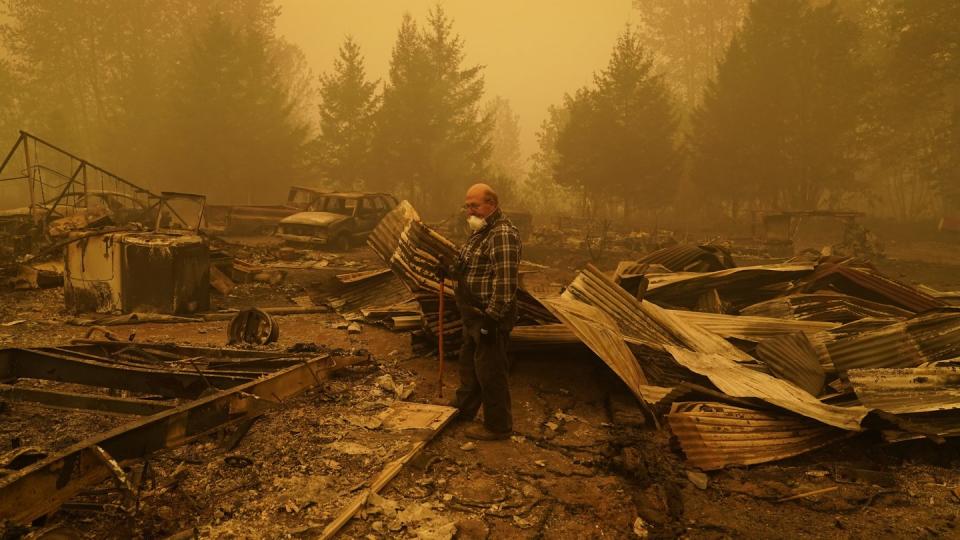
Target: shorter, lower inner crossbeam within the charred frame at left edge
[(90, 402)]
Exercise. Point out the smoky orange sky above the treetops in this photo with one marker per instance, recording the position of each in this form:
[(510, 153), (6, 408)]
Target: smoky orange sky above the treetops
[(534, 51)]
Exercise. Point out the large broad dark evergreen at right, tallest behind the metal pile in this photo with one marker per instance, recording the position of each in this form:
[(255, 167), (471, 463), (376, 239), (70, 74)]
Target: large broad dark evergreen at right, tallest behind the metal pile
[(779, 124)]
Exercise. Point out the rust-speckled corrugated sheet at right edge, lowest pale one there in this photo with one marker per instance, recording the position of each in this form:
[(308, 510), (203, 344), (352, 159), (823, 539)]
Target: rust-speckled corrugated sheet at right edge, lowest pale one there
[(908, 390)]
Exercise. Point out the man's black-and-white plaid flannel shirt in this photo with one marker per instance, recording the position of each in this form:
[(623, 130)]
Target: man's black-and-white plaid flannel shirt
[(490, 264)]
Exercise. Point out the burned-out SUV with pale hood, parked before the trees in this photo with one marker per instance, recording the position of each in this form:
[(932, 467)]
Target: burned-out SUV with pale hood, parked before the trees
[(337, 220)]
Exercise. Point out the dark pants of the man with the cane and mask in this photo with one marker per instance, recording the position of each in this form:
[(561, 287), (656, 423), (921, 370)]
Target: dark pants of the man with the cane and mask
[(483, 376)]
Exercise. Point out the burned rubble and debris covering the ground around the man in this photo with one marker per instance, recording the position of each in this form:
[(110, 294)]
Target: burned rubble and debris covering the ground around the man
[(728, 365)]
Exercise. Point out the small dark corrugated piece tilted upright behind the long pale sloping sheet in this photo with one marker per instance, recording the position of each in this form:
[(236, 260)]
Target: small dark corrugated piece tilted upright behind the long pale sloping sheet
[(793, 358)]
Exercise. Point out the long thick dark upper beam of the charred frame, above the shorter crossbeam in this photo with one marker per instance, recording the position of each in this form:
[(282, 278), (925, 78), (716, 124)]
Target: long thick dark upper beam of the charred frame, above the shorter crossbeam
[(51, 366)]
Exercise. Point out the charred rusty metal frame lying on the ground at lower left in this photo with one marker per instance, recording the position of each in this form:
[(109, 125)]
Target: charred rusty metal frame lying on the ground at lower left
[(222, 388)]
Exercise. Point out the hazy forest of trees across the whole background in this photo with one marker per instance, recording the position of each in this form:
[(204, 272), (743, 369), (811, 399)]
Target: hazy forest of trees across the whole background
[(707, 108)]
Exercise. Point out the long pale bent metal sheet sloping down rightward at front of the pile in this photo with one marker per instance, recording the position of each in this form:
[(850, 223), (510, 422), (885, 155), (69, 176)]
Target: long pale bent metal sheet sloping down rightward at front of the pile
[(737, 380)]
